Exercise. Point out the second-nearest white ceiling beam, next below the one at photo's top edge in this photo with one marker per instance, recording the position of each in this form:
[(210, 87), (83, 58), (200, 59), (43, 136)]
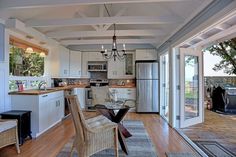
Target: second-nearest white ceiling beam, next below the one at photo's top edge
[(104, 20)]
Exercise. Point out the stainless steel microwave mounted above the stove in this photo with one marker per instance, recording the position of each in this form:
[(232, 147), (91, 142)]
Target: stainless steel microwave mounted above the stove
[(97, 66)]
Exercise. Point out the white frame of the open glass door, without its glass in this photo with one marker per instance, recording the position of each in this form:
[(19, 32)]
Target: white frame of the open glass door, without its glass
[(194, 52)]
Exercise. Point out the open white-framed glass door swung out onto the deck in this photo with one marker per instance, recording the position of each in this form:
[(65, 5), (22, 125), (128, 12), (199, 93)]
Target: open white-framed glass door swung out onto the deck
[(191, 87)]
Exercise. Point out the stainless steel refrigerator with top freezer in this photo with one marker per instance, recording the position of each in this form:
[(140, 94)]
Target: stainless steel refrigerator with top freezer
[(147, 87)]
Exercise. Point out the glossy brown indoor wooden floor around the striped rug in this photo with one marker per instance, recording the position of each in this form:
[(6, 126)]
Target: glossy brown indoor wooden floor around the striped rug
[(49, 144)]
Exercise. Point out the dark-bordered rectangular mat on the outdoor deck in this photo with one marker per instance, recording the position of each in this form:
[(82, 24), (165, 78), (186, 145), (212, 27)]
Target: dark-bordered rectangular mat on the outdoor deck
[(214, 149)]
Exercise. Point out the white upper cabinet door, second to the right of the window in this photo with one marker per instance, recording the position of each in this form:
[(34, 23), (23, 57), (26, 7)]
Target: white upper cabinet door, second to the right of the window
[(75, 64)]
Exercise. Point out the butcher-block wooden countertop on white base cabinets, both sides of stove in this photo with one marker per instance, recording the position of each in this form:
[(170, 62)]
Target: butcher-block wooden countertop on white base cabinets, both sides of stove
[(54, 89)]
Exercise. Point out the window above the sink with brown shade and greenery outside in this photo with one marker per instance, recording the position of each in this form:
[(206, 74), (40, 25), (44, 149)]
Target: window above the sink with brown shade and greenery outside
[(26, 59)]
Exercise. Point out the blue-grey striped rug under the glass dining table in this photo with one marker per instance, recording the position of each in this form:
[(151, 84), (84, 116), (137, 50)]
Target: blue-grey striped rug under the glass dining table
[(139, 145)]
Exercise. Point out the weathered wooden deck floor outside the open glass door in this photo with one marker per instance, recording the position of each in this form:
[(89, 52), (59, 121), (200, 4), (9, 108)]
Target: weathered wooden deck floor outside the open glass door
[(216, 127)]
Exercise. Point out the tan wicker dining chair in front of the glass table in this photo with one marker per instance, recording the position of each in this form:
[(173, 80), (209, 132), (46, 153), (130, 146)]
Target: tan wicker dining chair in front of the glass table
[(92, 135)]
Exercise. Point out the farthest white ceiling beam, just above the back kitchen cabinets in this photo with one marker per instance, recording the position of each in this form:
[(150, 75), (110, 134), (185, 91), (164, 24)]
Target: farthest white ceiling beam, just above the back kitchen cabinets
[(108, 41)]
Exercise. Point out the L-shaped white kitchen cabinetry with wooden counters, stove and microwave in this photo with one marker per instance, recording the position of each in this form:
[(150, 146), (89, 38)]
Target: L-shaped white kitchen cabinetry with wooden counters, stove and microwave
[(74, 72)]
